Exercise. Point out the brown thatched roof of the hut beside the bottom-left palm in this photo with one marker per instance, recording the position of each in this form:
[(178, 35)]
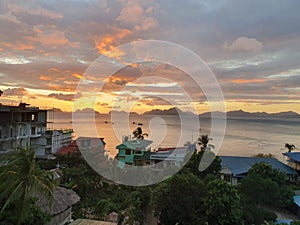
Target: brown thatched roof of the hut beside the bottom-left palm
[(63, 198)]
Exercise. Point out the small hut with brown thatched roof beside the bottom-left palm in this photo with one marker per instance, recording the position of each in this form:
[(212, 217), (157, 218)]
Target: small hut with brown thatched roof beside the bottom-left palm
[(61, 210)]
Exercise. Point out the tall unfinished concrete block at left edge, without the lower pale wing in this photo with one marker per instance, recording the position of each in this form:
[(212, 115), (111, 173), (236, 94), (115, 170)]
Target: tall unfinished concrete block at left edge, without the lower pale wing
[(23, 125)]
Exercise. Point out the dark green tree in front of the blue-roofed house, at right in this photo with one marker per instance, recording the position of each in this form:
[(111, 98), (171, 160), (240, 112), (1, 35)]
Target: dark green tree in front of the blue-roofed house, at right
[(262, 188)]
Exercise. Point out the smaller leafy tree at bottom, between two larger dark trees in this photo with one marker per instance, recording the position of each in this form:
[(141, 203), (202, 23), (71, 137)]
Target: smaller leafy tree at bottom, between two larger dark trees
[(222, 205)]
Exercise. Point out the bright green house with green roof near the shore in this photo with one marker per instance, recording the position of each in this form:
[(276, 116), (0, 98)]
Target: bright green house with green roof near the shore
[(132, 152)]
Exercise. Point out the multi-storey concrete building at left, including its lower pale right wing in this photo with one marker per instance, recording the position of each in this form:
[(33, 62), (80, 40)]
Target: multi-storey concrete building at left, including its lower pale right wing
[(23, 125)]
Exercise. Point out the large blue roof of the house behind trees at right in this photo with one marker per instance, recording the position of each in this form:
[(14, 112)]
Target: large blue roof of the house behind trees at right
[(239, 166)]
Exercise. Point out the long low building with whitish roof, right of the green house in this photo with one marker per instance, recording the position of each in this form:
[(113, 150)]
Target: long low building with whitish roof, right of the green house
[(175, 156)]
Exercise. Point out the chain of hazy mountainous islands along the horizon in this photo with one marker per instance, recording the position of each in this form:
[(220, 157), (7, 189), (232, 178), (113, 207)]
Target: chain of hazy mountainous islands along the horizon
[(175, 111)]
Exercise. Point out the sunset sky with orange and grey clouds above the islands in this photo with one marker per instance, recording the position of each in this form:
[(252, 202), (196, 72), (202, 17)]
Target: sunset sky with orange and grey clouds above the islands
[(252, 48)]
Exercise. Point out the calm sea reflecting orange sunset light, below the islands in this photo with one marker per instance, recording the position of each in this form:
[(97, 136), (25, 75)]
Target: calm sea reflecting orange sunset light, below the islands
[(243, 136)]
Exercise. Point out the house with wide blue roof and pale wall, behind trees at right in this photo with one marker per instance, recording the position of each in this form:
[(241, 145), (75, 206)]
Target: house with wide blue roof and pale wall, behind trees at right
[(234, 168)]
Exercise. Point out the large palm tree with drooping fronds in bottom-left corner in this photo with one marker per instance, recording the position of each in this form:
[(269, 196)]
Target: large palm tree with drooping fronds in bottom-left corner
[(22, 180)]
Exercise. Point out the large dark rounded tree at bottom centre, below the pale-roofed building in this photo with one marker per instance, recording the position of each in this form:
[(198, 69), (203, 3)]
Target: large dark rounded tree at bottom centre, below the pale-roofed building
[(179, 200)]
